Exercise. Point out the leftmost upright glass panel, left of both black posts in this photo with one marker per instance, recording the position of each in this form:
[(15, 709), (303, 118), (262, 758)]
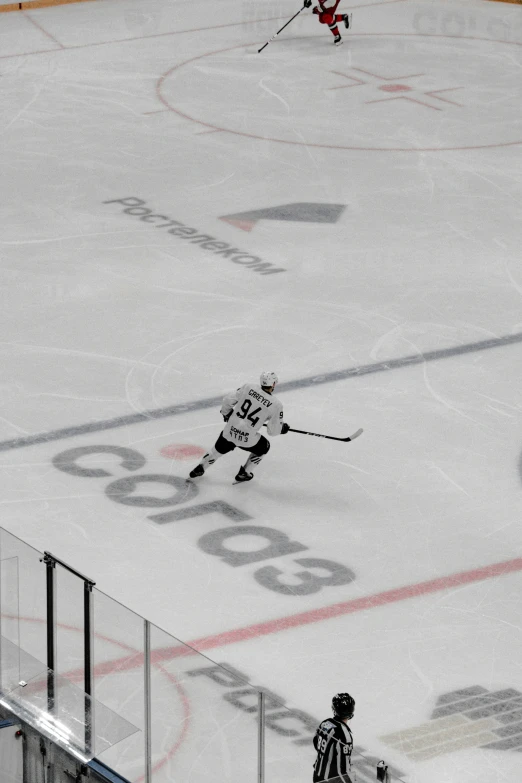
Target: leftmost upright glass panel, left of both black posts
[(29, 593)]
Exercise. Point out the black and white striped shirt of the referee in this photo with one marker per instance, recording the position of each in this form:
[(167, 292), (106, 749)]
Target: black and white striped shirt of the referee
[(333, 742)]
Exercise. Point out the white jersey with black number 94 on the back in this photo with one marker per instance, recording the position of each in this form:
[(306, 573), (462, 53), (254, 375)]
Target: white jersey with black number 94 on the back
[(251, 408)]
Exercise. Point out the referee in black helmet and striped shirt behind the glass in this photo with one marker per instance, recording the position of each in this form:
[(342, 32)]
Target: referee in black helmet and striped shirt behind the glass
[(333, 742)]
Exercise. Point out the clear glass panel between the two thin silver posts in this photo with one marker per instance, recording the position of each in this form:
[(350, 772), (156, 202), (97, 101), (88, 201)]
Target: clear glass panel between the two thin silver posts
[(203, 717)]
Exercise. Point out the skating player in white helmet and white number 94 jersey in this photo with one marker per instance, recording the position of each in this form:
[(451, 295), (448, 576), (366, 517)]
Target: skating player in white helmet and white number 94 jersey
[(245, 411)]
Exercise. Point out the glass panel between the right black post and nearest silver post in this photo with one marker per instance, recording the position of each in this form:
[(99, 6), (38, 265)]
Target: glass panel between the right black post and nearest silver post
[(119, 678)]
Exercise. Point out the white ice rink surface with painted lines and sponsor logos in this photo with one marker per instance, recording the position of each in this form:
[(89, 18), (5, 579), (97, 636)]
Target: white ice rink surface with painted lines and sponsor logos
[(180, 213)]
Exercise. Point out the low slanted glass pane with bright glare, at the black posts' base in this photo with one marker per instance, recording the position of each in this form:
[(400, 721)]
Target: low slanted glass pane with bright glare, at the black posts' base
[(57, 708)]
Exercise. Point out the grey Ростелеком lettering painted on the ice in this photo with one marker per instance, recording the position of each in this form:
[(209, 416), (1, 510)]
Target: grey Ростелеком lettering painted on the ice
[(135, 207)]
